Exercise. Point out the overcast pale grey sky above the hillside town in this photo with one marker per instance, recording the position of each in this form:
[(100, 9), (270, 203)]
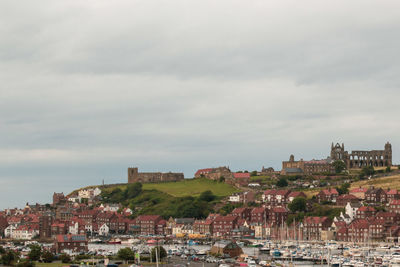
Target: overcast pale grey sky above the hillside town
[(90, 88)]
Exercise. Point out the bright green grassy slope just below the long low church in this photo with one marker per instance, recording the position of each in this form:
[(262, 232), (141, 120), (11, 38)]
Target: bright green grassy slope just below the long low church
[(188, 187)]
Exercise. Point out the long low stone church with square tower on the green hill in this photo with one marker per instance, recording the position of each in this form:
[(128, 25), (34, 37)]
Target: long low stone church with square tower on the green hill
[(153, 177)]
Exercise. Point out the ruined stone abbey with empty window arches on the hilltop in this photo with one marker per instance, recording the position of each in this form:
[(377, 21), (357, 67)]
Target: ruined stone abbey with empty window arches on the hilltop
[(362, 158)]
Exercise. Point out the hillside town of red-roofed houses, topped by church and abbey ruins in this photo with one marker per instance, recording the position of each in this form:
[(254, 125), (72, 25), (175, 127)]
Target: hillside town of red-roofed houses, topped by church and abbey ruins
[(337, 199)]
